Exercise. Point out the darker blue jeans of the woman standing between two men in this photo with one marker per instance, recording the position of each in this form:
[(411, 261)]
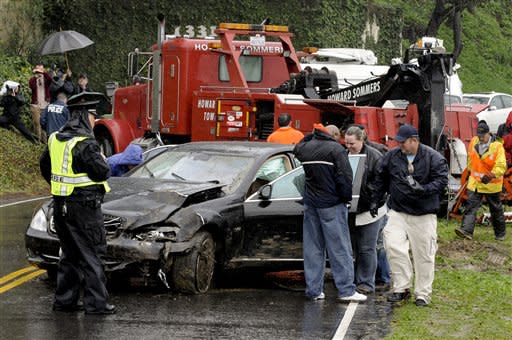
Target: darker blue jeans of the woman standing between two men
[(364, 245)]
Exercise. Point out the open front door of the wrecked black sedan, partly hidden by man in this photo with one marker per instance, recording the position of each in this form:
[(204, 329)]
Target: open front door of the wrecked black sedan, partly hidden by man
[(273, 215)]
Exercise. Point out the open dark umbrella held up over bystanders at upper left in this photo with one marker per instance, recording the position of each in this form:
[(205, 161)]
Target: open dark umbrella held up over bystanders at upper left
[(62, 42)]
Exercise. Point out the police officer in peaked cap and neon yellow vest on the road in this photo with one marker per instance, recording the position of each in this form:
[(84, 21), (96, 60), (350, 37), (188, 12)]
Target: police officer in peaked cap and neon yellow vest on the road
[(77, 171)]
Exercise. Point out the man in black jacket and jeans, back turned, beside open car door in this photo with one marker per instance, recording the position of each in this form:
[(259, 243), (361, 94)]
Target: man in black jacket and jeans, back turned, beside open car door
[(328, 190)]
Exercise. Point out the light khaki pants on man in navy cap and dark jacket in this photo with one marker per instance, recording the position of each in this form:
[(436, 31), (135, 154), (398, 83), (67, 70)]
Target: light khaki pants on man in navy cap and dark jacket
[(418, 233)]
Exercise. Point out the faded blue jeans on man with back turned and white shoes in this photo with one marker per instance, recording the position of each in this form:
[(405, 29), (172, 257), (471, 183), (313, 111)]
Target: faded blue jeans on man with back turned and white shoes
[(326, 229)]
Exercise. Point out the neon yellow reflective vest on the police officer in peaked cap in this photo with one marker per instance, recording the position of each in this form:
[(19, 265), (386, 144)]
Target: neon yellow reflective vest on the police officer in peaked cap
[(63, 179)]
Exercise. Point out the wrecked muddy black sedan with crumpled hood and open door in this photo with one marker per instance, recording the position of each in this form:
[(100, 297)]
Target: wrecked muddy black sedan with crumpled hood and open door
[(195, 208)]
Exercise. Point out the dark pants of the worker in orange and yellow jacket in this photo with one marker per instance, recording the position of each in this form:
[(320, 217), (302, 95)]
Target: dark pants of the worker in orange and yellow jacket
[(495, 207)]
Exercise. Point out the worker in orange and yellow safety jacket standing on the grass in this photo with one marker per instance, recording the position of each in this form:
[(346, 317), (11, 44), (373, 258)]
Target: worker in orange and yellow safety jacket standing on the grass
[(487, 165)]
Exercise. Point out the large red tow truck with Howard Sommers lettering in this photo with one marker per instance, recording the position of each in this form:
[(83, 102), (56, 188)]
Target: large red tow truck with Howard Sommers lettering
[(234, 87)]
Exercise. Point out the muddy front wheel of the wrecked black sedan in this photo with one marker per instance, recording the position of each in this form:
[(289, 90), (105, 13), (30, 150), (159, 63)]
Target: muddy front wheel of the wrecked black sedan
[(192, 272)]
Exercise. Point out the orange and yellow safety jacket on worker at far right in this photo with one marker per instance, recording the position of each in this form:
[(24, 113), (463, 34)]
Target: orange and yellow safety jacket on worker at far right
[(492, 161)]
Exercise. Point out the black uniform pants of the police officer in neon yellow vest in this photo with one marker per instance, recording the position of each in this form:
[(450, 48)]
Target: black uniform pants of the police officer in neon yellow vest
[(81, 233)]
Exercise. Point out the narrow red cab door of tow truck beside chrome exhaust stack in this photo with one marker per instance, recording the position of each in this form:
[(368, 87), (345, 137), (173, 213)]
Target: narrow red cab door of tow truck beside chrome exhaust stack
[(171, 120)]
